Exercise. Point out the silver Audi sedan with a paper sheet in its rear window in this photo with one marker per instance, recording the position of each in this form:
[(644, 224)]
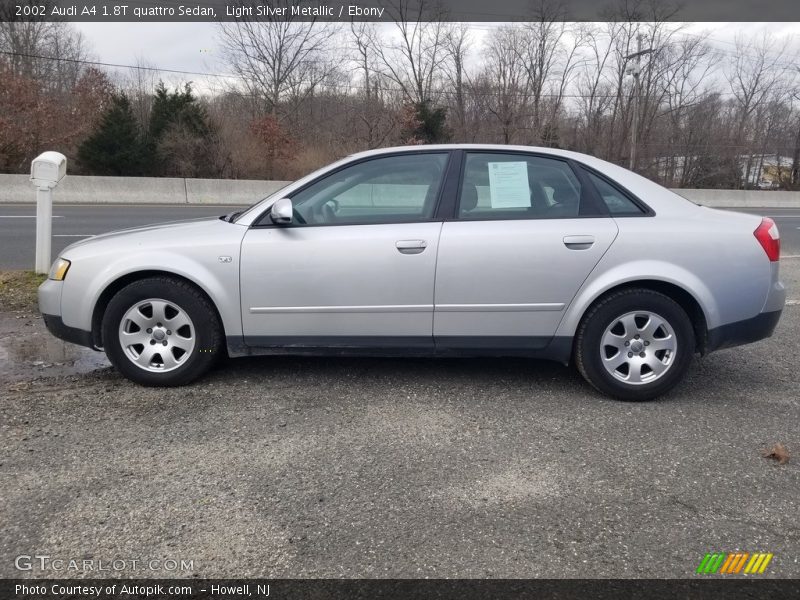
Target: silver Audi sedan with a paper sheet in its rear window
[(440, 250)]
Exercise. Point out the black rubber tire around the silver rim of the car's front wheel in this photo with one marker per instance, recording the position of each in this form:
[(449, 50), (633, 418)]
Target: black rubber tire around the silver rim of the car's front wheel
[(205, 329)]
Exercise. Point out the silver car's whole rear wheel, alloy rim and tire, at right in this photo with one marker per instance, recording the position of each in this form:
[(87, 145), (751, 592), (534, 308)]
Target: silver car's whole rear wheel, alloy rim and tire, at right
[(635, 344)]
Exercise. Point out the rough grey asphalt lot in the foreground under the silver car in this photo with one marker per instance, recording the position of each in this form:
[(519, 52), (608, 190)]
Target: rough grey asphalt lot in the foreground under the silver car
[(284, 467)]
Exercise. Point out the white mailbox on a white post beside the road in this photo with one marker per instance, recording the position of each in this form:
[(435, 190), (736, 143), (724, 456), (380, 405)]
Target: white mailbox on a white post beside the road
[(47, 170)]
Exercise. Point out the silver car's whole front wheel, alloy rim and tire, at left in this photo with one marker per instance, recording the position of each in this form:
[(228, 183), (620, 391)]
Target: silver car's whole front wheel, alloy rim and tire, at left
[(161, 332)]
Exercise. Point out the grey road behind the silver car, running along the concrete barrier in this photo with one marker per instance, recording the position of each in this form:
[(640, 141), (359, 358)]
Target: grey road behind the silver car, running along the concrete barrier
[(75, 222)]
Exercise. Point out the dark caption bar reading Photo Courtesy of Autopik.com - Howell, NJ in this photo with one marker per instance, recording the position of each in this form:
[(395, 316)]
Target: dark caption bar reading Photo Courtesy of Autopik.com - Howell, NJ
[(408, 589)]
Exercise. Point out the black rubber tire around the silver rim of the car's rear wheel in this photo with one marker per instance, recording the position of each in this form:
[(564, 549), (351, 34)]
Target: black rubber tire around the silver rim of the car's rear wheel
[(603, 314)]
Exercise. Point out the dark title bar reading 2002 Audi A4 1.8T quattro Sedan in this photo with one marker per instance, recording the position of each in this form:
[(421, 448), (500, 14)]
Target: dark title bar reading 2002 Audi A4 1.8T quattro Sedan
[(398, 10)]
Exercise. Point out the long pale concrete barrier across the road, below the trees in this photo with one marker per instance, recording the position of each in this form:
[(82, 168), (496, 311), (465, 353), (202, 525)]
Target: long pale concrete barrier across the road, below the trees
[(80, 189)]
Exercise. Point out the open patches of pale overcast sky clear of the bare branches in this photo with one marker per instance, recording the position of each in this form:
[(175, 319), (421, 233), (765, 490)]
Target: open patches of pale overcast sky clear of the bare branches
[(194, 46)]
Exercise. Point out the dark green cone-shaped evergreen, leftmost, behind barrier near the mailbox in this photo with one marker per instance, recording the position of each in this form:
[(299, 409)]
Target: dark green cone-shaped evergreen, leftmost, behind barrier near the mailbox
[(115, 147)]
